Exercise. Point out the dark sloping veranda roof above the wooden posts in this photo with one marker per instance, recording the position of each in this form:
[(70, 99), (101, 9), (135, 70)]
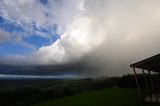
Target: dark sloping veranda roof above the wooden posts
[(152, 64)]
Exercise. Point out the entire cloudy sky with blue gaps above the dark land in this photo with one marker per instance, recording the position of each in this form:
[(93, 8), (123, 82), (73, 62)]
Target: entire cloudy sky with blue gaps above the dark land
[(79, 37)]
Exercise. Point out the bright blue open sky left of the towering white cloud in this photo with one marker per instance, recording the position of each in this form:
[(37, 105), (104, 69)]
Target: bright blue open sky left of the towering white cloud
[(40, 36)]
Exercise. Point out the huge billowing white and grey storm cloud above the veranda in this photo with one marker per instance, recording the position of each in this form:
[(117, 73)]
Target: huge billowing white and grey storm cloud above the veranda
[(103, 37)]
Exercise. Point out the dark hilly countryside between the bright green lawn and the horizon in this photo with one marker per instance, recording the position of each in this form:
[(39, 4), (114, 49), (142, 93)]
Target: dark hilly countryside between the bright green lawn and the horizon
[(28, 92)]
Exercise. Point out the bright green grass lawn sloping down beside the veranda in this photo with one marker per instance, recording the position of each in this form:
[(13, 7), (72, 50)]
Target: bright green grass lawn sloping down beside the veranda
[(106, 97)]
